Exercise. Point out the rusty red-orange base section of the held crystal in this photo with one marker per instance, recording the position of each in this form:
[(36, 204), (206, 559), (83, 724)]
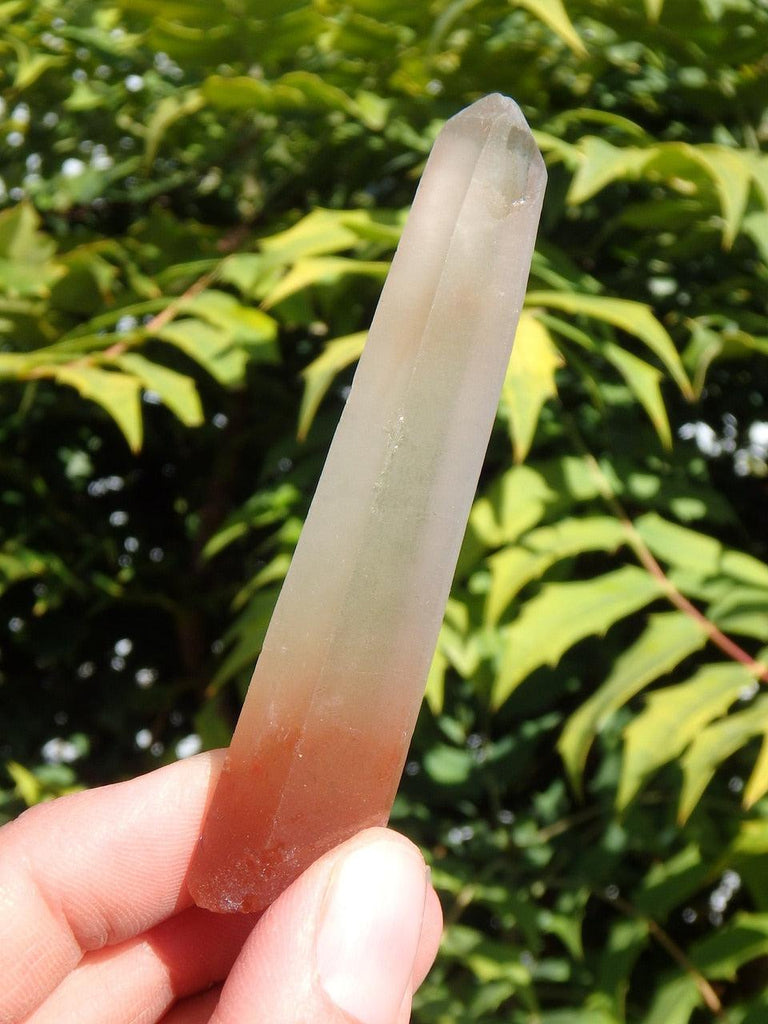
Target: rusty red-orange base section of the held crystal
[(296, 798)]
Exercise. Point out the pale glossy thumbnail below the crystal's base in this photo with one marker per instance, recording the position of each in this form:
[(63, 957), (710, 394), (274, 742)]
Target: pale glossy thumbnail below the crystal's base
[(370, 930)]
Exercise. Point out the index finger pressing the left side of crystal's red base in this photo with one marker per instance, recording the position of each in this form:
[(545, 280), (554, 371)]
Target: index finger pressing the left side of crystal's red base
[(93, 870)]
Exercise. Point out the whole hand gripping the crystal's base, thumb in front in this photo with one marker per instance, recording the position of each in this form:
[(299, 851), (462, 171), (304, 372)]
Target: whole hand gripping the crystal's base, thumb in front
[(97, 926)]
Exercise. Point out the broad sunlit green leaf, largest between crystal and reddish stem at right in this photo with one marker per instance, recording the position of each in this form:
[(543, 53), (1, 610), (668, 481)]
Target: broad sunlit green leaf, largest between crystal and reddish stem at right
[(565, 614)]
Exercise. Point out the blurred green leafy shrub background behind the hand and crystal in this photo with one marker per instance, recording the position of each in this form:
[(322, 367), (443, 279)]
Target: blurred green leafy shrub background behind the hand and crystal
[(198, 206)]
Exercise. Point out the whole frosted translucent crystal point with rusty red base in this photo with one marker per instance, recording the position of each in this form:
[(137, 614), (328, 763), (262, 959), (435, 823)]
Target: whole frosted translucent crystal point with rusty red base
[(324, 734)]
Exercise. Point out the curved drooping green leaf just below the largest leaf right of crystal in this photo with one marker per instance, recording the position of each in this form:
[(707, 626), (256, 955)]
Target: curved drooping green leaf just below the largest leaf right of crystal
[(667, 641)]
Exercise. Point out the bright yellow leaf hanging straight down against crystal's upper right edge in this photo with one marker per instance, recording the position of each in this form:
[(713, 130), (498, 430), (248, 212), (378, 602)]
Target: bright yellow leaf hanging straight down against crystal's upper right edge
[(530, 381)]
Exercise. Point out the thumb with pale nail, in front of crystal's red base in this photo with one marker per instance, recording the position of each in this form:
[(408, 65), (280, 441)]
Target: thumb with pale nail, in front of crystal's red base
[(349, 942)]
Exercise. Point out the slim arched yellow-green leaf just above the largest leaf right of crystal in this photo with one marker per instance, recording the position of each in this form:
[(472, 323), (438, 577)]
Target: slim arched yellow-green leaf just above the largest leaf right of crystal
[(514, 568)]
